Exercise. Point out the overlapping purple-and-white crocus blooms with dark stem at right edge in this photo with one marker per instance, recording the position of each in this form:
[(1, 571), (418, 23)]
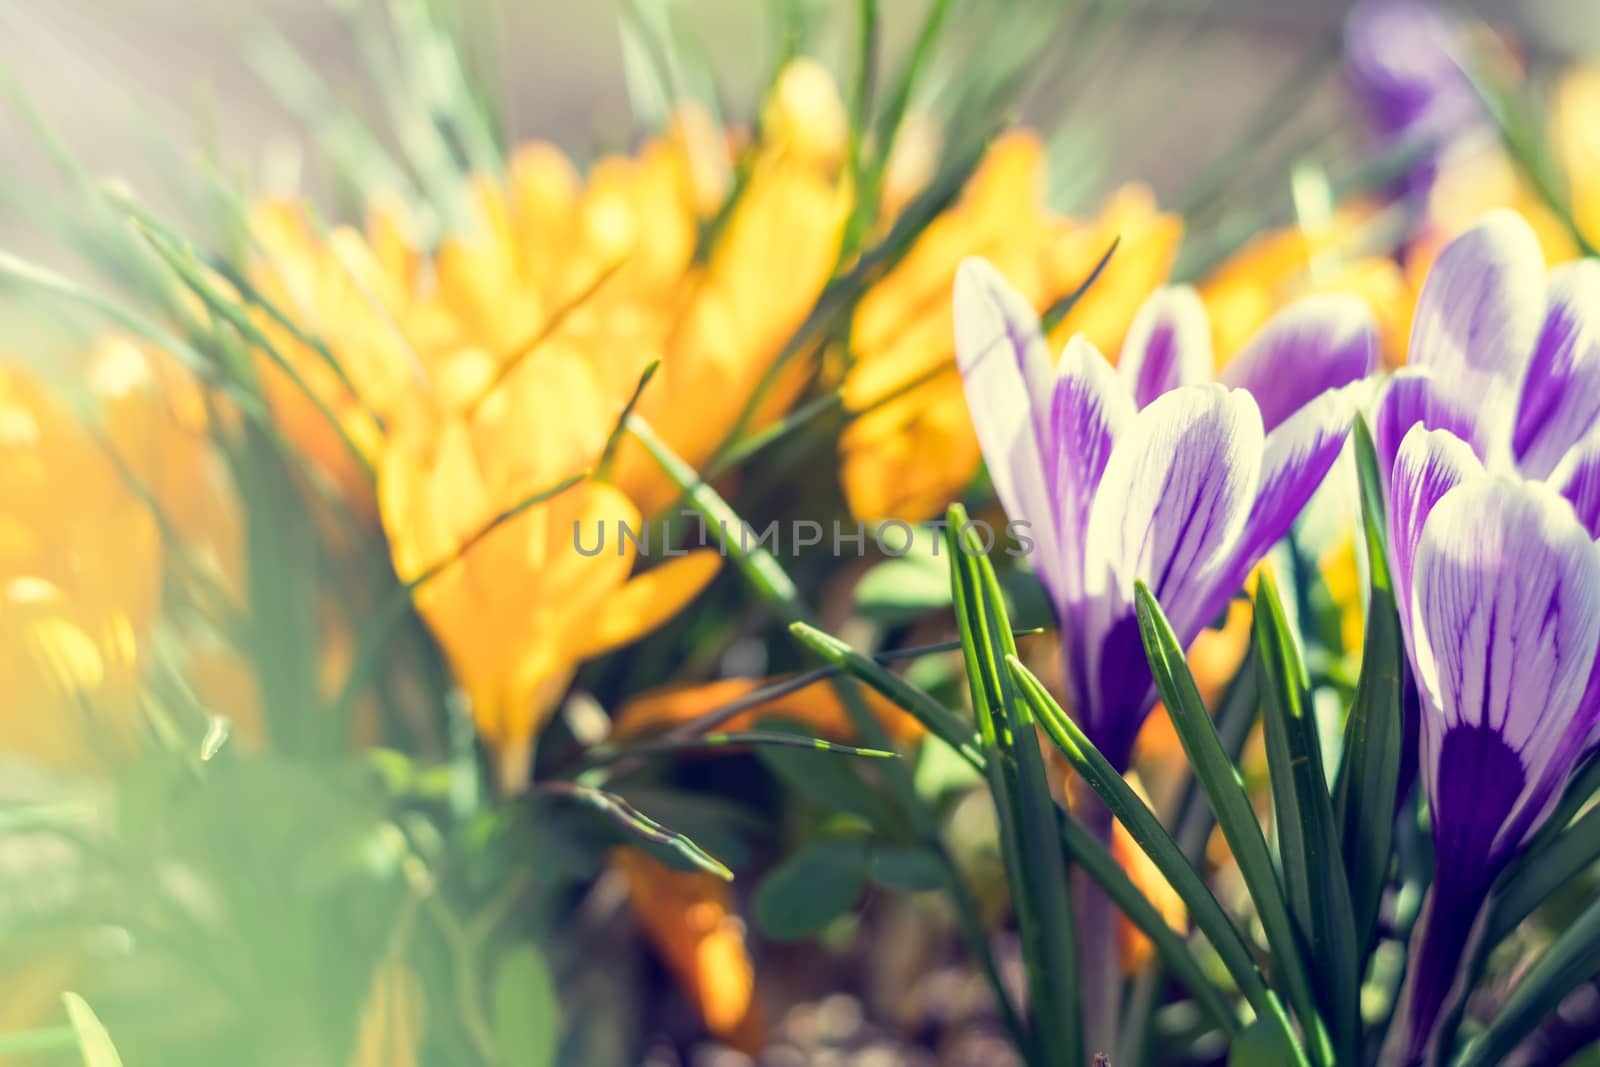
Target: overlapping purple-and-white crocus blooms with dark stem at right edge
[(1494, 455)]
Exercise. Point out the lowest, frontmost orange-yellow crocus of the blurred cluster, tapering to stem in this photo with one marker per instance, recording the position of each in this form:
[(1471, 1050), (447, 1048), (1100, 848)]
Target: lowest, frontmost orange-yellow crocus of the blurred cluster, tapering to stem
[(524, 607)]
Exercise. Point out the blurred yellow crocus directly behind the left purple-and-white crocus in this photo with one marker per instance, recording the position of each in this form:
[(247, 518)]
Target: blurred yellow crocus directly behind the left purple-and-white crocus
[(911, 447)]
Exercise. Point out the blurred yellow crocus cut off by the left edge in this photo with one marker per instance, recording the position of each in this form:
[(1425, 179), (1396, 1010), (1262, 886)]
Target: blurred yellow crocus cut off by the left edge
[(81, 580)]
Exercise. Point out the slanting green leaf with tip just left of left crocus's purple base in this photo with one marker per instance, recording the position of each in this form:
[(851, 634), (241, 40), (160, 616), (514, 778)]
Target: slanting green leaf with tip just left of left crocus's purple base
[(1159, 845)]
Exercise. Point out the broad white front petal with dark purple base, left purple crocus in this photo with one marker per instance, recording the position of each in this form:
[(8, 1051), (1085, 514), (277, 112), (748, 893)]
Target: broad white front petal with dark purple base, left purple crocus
[(1170, 511)]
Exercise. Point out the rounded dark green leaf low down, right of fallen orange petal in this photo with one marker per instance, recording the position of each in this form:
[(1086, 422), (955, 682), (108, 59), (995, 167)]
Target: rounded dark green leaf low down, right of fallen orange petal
[(814, 887)]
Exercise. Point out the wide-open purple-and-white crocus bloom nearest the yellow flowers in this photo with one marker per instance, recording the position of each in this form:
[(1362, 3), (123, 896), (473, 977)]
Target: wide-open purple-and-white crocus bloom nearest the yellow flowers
[(1151, 471)]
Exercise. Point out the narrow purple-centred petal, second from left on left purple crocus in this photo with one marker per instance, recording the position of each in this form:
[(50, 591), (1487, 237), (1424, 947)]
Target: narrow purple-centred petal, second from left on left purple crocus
[(1089, 412)]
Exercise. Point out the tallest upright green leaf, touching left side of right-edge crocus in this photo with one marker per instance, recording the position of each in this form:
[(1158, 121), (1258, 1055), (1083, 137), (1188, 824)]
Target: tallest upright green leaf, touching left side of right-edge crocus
[(1370, 772)]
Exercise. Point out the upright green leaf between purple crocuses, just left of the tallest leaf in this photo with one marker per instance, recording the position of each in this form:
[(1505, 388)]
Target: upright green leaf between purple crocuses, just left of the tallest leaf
[(1308, 831)]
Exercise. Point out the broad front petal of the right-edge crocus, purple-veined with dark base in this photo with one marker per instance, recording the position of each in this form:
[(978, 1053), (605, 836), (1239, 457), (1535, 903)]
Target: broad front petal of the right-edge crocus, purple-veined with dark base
[(1508, 605)]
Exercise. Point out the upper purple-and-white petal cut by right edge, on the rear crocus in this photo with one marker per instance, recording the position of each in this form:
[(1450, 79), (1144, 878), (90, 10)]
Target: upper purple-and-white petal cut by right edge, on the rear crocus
[(1561, 398)]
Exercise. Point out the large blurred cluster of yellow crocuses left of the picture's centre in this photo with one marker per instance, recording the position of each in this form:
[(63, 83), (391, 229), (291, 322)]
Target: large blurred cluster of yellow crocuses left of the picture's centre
[(498, 366)]
